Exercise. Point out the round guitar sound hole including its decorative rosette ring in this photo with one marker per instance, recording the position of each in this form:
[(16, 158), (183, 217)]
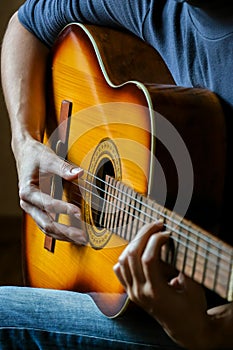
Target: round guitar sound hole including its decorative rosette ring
[(97, 208)]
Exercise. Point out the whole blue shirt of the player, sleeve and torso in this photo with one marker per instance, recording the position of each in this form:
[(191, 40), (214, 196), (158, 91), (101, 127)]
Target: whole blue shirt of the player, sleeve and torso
[(196, 45)]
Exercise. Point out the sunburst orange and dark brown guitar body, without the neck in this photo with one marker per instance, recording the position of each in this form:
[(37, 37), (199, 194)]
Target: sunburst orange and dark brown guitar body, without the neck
[(112, 131)]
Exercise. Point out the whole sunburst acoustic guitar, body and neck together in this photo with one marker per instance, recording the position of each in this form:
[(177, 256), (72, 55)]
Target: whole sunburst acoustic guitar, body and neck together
[(149, 149)]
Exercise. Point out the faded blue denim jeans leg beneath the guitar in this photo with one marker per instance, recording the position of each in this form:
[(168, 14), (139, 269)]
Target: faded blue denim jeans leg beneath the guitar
[(49, 319)]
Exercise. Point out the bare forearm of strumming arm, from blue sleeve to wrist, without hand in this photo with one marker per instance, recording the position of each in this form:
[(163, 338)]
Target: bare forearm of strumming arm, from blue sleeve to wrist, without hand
[(23, 61)]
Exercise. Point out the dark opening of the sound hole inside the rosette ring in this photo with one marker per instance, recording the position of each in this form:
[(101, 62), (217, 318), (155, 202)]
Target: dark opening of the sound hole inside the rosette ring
[(105, 167)]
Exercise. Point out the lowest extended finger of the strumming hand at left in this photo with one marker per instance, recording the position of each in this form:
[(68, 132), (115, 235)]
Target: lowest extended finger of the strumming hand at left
[(54, 229)]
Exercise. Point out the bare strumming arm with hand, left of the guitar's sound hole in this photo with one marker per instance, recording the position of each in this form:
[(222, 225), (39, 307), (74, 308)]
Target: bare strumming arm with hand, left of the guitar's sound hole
[(24, 60)]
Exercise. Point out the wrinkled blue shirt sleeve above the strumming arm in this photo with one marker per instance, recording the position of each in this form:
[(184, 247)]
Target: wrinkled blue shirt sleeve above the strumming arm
[(46, 18)]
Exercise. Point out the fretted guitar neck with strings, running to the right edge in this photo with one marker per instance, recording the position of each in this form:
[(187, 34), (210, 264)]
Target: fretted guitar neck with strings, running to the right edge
[(195, 252)]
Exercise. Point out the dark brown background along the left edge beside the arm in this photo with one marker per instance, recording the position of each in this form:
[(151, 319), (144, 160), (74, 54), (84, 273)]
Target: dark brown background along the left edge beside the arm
[(10, 212)]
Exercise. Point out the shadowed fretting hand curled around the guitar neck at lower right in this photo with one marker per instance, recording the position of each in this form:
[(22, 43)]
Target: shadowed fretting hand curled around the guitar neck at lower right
[(175, 301)]
